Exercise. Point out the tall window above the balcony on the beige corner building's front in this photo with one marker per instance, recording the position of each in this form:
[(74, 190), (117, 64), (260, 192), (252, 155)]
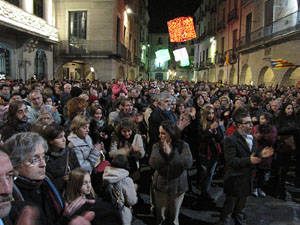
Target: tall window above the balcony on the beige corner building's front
[(77, 30)]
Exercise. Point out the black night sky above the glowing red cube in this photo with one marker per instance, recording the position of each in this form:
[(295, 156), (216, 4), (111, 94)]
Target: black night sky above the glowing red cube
[(161, 11)]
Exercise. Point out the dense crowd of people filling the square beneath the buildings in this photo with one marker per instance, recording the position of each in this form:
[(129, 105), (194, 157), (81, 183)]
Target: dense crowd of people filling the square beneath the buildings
[(76, 148)]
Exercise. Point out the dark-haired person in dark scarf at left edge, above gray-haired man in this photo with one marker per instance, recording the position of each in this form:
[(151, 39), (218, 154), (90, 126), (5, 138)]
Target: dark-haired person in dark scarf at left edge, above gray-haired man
[(17, 120)]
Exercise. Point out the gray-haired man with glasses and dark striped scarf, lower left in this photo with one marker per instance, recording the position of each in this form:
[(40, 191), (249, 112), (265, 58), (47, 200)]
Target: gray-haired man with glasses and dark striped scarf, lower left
[(27, 152)]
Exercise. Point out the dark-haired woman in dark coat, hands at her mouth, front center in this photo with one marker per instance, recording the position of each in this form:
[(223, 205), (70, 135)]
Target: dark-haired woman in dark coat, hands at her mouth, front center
[(170, 158)]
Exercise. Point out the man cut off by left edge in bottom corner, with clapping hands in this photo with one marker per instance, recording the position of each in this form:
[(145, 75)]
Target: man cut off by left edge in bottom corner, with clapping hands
[(28, 216)]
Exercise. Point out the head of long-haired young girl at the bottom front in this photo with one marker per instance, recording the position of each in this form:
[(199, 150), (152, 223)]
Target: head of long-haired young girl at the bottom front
[(79, 184)]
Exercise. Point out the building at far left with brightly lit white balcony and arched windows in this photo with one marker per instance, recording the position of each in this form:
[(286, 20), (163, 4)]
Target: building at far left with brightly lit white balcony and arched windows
[(27, 37)]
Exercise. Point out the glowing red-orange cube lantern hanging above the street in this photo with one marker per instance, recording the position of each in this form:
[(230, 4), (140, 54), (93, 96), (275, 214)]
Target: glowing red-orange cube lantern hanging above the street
[(181, 29)]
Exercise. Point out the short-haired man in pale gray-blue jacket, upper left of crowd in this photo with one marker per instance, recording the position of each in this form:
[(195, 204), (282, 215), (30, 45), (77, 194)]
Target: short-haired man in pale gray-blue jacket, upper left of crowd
[(38, 106)]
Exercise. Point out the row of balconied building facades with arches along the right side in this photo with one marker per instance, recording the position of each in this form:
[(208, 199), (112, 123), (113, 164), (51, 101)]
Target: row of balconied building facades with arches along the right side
[(249, 35)]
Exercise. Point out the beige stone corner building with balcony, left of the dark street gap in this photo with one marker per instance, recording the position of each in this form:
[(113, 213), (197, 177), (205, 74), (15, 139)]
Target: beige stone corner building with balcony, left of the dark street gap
[(100, 39)]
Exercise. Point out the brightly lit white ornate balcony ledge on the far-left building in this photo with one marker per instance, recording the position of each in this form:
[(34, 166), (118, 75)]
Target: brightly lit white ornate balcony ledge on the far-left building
[(17, 18)]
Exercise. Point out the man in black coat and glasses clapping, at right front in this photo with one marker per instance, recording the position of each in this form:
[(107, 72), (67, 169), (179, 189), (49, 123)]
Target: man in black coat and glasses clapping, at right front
[(241, 155)]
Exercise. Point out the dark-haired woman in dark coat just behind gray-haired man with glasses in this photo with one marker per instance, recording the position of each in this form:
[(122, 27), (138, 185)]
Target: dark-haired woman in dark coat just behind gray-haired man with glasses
[(62, 159)]
